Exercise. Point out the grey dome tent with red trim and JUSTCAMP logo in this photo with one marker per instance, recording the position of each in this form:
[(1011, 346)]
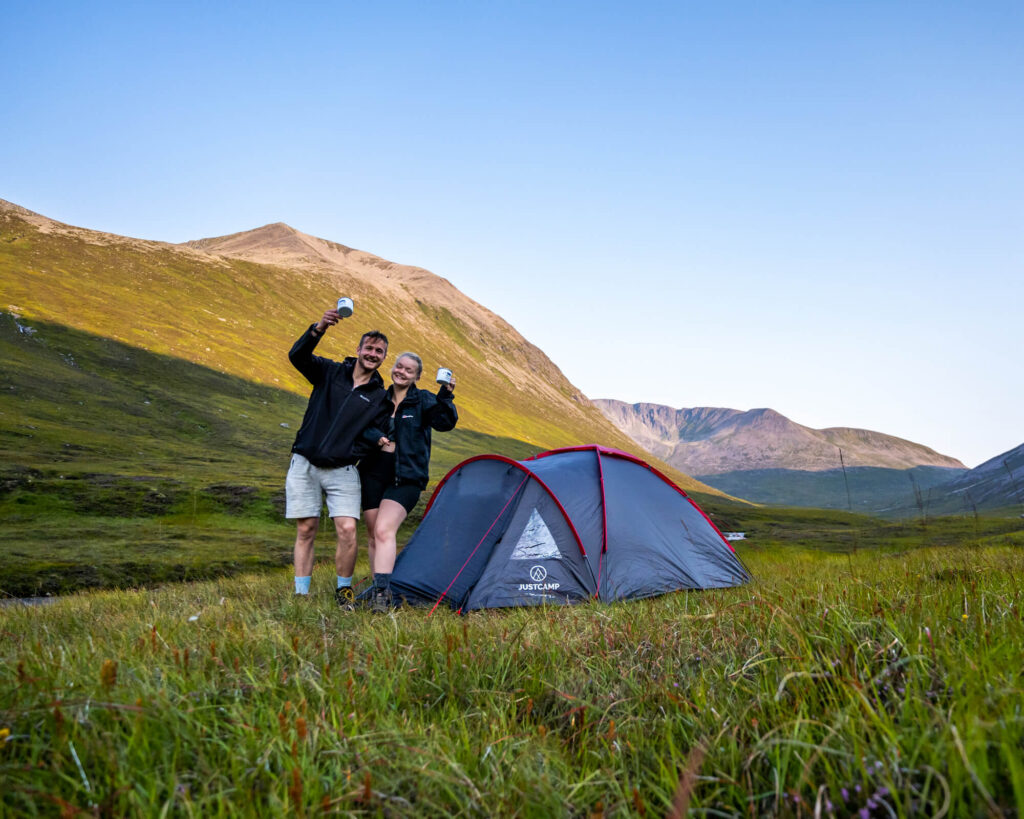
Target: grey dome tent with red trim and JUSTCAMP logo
[(561, 528)]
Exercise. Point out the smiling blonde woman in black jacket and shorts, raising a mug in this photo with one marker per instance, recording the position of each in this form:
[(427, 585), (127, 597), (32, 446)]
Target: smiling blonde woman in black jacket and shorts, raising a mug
[(397, 473)]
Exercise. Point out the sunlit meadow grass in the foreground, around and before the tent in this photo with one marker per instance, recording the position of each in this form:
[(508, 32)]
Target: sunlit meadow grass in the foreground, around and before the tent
[(885, 684)]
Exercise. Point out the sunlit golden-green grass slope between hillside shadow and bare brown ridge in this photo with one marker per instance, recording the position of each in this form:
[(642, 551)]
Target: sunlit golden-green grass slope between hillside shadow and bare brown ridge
[(227, 315)]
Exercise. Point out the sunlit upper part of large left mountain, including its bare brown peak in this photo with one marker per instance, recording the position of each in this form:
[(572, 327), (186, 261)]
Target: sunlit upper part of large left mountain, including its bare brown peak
[(235, 305)]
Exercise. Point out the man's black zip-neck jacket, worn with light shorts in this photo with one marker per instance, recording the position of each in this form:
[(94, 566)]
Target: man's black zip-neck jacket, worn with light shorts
[(338, 415)]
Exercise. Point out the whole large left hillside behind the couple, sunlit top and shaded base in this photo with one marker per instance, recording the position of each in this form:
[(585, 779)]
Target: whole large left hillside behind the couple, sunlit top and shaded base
[(148, 406)]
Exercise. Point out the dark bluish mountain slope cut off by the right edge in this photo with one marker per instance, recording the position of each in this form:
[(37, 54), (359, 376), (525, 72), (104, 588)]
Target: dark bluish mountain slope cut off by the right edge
[(997, 485)]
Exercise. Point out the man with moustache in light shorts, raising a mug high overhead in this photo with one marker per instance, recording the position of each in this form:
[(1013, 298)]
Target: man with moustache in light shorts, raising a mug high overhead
[(348, 399)]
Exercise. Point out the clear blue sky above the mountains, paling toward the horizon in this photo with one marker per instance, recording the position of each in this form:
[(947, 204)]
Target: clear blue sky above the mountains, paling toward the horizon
[(815, 207)]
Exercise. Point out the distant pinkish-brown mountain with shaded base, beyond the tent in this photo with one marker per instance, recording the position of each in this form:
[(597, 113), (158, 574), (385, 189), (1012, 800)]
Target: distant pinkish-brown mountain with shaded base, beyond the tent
[(764, 457)]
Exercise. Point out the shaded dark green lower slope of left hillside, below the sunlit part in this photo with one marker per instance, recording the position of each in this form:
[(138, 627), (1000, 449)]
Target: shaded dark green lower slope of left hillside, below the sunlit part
[(122, 467)]
